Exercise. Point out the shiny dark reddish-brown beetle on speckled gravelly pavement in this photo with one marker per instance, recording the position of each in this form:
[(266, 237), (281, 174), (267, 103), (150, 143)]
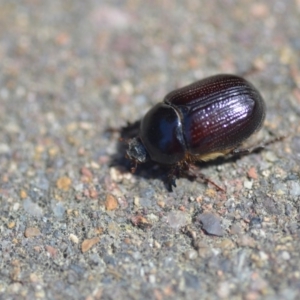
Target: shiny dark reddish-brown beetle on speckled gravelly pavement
[(199, 122)]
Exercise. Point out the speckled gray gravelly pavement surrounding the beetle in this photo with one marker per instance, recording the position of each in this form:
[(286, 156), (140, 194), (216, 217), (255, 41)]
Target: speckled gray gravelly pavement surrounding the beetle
[(74, 222)]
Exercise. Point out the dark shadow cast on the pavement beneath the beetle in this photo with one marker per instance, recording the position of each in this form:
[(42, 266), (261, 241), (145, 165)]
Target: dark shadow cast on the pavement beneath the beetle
[(152, 170)]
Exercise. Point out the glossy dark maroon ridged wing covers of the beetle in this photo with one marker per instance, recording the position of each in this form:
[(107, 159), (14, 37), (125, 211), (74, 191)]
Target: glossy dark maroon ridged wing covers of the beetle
[(217, 113)]
